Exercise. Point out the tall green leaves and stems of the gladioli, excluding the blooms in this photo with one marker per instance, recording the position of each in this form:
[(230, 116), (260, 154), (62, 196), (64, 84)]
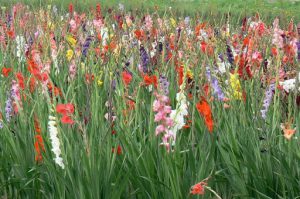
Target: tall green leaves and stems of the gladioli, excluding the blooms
[(244, 157)]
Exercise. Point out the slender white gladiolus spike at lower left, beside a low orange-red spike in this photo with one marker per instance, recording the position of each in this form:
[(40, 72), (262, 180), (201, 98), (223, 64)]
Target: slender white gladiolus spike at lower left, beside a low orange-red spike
[(55, 141)]
